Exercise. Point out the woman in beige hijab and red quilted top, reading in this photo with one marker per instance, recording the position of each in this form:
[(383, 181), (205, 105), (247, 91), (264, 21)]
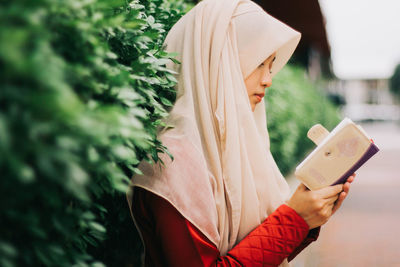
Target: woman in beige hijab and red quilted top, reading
[(222, 200)]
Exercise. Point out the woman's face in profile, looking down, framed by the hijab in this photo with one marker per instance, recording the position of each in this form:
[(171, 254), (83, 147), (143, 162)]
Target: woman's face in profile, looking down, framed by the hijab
[(258, 80)]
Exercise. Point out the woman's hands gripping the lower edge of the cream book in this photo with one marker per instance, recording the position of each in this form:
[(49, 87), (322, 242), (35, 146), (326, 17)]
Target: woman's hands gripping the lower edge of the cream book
[(316, 207)]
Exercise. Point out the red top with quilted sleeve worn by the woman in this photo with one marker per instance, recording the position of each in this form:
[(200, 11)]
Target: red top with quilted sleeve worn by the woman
[(171, 240)]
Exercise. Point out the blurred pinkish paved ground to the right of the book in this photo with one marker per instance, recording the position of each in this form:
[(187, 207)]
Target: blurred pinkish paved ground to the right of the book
[(366, 230)]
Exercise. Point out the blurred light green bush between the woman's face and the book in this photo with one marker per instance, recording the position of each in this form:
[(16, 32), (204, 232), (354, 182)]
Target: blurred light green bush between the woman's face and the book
[(294, 104)]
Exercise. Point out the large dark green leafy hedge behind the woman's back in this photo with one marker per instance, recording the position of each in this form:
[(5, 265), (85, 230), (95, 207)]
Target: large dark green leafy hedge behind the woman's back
[(83, 89)]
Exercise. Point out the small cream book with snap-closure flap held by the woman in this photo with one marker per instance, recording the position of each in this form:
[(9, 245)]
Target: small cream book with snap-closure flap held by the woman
[(338, 154)]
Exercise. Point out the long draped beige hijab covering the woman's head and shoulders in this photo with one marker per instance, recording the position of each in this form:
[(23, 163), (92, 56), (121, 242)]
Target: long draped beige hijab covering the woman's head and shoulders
[(223, 178)]
